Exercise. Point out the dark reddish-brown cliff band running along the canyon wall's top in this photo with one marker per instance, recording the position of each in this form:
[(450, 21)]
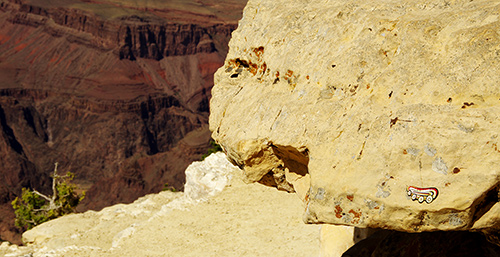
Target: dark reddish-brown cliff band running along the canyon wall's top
[(145, 36)]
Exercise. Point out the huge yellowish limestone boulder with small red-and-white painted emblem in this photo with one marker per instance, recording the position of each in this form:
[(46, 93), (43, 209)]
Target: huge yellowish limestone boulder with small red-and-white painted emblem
[(379, 114)]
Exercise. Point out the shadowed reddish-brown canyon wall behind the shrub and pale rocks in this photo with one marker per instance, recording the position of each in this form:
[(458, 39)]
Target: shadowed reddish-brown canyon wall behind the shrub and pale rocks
[(115, 91)]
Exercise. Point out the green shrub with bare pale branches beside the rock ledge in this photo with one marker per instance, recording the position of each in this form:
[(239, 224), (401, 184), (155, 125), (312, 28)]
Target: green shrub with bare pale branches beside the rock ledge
[(34, 208)]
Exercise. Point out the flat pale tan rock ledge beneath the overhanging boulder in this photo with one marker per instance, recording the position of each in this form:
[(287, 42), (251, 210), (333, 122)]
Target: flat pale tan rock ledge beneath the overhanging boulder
[(239, 221)]
